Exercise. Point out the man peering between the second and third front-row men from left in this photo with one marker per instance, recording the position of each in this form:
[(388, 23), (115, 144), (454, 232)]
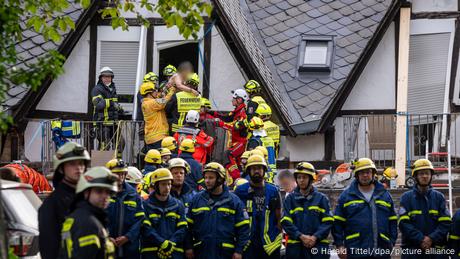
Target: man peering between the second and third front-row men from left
[(180, 189)]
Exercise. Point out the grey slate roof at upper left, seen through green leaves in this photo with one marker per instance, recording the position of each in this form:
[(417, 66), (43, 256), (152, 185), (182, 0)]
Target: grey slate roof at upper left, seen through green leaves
[(32, 47)]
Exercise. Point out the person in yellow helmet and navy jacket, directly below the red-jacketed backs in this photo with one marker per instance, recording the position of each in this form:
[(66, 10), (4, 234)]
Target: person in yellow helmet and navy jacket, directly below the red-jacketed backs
[(195, 178)]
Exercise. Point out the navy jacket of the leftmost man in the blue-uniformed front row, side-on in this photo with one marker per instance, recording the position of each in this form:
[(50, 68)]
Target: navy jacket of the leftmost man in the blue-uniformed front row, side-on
[(125, 214)]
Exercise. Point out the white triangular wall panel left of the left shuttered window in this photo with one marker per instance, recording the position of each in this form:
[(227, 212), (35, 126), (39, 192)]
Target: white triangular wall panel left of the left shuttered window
[(69, 92)]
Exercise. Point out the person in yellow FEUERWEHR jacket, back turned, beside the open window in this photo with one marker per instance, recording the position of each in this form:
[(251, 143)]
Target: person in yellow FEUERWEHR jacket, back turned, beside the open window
[(184, 101)]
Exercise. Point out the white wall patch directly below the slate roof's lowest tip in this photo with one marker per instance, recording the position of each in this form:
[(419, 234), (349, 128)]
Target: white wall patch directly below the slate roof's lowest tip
[(305, 148)]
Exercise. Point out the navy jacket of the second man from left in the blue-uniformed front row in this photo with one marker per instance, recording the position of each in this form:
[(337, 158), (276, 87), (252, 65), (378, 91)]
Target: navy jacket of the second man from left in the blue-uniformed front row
[(164, 221)]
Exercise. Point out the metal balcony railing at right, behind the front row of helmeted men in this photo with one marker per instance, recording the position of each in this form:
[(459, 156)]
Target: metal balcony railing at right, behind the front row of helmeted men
[(374, 136)]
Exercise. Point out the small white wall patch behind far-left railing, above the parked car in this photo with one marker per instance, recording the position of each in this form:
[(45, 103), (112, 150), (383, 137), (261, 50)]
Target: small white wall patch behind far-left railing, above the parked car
[(33, 141)]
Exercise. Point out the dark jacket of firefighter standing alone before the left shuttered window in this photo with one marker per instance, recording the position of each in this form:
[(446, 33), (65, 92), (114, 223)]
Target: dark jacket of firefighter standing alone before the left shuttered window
[(104, 99)]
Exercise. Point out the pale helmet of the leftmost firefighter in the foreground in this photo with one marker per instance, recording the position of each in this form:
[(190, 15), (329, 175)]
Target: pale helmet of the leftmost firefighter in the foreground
[(68, 152)]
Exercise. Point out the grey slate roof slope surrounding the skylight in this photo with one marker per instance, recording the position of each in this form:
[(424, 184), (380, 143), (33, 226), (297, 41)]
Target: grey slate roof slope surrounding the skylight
[(275, 27)]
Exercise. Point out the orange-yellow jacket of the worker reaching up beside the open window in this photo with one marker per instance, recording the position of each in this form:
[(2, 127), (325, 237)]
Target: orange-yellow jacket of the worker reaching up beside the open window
[(156, 125)]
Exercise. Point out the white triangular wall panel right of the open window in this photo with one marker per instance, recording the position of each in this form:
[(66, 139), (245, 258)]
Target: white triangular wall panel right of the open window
[(225, 73)]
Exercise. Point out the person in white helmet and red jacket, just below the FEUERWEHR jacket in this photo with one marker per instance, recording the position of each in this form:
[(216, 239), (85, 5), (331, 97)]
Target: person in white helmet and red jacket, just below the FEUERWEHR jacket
[(191, 130)]
